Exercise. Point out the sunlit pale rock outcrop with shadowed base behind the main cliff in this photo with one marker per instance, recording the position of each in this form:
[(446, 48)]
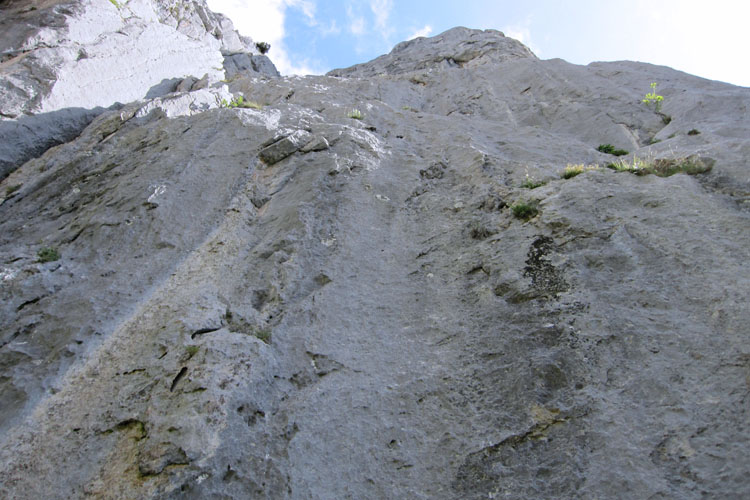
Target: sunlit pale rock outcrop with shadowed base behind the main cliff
[(63, 62)]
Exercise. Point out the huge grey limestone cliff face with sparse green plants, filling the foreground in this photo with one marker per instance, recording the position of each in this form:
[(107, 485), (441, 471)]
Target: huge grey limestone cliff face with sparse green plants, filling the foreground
[(337, 287)]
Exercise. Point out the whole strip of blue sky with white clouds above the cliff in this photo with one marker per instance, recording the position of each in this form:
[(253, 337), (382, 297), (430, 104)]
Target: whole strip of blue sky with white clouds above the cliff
[(708, 39)]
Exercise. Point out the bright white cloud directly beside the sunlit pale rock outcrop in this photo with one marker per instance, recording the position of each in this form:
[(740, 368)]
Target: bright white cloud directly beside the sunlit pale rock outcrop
[(263, 21)]
